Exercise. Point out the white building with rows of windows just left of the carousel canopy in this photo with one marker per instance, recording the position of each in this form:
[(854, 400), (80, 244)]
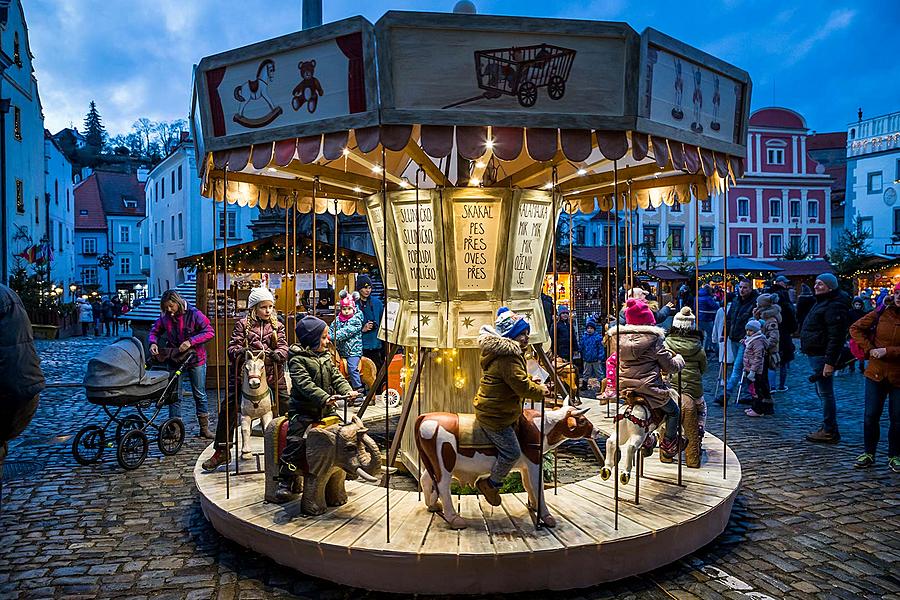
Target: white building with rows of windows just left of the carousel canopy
[(180, 221)]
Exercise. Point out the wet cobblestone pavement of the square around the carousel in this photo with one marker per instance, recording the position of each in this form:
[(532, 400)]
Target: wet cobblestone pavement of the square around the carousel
[(805, 525)]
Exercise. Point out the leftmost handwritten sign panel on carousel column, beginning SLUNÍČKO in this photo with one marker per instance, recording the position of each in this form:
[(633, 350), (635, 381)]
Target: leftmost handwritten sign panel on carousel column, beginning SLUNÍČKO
[(418, 257)]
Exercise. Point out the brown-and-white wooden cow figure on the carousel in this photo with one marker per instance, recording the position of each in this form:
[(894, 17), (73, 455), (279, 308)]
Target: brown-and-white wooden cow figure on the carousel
[(452, 445)]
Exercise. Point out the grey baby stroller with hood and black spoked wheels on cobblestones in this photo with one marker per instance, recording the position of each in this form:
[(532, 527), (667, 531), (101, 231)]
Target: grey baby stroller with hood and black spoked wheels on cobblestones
[(119, 378)]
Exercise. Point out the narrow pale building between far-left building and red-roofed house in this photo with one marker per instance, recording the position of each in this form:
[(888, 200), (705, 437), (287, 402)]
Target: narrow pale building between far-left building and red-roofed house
[(60, 201)]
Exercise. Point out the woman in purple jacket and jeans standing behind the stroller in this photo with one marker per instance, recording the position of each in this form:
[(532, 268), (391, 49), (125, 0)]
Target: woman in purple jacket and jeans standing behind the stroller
[(181, 328)]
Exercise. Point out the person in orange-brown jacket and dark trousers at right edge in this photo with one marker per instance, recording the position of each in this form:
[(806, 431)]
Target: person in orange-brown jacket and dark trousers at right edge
[(878, 335)]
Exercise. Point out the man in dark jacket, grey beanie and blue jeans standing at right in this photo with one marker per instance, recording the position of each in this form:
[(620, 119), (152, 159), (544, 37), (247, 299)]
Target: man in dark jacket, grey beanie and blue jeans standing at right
[(822, 338)]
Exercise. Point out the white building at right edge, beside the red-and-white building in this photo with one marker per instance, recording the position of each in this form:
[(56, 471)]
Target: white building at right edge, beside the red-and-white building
[(873, 180)]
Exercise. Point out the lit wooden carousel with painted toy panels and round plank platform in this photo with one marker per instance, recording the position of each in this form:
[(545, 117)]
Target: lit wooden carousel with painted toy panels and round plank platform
[(481, 133)]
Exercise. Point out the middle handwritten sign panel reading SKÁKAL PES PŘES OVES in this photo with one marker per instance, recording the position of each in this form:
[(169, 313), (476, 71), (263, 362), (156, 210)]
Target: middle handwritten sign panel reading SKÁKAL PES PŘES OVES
[(476, 228)]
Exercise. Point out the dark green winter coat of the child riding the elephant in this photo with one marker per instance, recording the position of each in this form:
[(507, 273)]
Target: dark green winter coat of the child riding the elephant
[(314, 379)]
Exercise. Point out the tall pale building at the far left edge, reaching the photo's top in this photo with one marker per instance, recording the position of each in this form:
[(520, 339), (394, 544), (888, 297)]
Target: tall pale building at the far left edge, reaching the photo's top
[(21, 144)]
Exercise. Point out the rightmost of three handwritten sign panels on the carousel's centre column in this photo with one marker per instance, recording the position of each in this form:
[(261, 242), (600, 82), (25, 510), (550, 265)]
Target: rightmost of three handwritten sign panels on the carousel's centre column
[(530, 225)]
